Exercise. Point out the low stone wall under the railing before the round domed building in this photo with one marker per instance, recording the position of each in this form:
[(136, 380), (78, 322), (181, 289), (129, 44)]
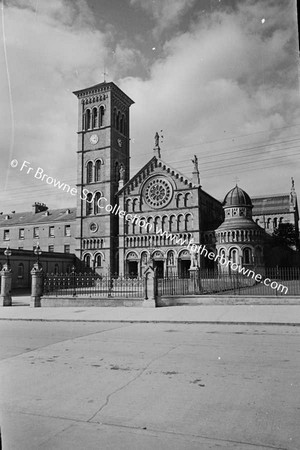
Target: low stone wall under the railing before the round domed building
[(226, 300)]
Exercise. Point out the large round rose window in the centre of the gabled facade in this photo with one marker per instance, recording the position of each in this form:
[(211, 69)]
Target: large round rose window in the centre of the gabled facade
[(157, 192)]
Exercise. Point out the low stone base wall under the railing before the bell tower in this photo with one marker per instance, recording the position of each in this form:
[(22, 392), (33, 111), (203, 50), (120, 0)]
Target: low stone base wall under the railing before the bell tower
[(48, 301)]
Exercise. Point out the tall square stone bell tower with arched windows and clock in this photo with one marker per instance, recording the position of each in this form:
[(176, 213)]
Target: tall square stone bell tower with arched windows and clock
[(103, 151)]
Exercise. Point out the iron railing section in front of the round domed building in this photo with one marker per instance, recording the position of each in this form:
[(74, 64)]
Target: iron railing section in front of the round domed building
[(275, 281)]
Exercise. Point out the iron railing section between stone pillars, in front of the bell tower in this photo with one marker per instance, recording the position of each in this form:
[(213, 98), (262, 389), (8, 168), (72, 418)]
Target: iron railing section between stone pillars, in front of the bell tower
[(92, 285)]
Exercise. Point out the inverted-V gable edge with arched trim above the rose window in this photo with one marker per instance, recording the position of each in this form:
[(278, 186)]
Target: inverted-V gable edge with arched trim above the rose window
[(148, 169)]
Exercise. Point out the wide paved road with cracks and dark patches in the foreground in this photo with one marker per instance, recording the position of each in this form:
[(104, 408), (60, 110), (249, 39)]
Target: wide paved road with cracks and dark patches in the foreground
[(149, 386)]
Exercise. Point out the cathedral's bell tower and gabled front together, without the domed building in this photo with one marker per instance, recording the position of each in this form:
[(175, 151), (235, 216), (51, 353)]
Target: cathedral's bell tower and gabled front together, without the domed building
[(170, 209)]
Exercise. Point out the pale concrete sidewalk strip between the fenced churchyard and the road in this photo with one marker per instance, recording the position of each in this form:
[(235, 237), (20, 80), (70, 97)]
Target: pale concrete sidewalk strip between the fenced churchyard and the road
[(224, 314)]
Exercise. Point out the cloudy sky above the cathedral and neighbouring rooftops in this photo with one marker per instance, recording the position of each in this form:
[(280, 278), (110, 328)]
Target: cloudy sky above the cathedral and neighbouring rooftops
[(219, 77)]
